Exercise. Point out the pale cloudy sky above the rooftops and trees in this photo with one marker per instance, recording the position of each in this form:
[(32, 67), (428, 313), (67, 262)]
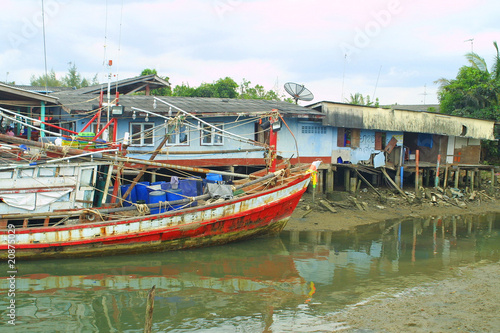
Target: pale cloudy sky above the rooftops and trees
[(393, 50)]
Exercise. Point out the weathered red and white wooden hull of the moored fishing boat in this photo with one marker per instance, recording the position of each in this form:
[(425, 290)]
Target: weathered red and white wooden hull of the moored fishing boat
[(254, 215)]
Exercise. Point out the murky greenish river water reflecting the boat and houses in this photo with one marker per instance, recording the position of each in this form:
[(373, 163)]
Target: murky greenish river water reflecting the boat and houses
[(289, 283)]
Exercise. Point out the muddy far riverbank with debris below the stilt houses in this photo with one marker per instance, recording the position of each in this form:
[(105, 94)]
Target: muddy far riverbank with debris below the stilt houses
[(367, 207)]
